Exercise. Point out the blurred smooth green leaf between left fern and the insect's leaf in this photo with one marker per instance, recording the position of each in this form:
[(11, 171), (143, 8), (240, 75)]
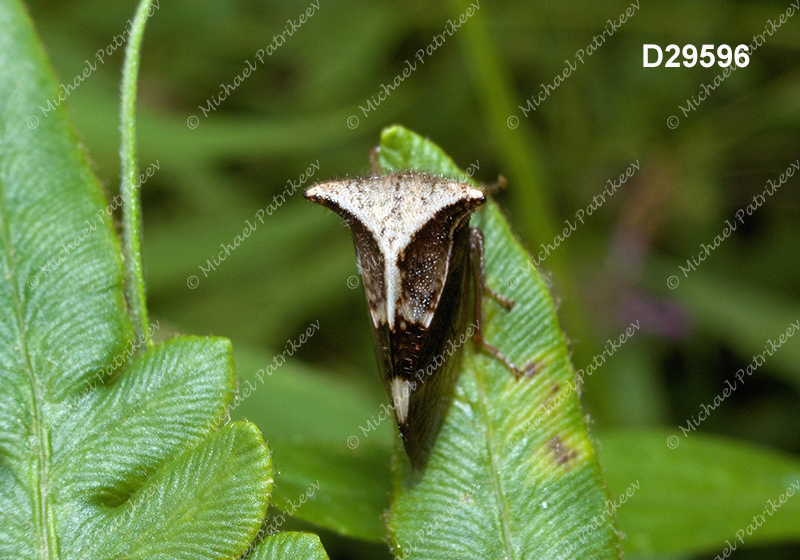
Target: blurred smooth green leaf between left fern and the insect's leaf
[(352, 475)]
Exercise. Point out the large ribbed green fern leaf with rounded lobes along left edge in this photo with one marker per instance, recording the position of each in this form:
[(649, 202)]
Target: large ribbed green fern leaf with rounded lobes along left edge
[(96, 450)]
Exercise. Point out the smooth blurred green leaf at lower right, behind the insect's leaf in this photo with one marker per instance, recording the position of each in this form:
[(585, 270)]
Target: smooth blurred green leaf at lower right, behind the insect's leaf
[(695, 497)]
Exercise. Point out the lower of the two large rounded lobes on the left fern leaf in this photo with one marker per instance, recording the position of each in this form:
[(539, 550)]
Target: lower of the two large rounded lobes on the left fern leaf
[(205, 503)]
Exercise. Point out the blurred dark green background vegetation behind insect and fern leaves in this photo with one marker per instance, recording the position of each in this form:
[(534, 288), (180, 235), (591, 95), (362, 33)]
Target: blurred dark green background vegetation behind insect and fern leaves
[(298, 267)]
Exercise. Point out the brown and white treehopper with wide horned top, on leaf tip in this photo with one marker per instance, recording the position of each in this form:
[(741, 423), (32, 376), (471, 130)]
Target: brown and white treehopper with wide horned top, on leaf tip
[(412, 238)]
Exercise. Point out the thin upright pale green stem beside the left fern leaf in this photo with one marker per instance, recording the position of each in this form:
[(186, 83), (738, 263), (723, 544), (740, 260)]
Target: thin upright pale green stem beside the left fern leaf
[(129, 189)]
